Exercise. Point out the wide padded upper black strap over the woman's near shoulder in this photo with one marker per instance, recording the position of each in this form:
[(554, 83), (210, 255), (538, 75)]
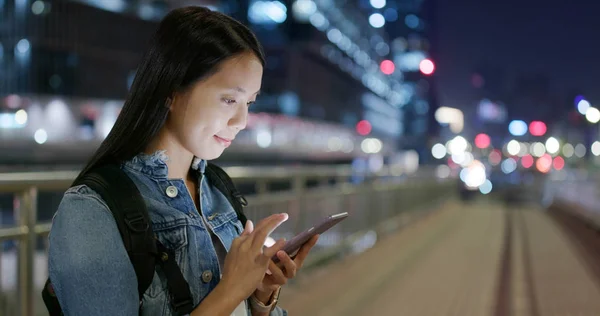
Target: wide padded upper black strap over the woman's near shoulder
[(131, 215)]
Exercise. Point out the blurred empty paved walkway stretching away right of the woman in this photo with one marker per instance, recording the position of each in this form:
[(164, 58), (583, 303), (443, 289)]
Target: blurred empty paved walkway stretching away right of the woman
[(477, 259)]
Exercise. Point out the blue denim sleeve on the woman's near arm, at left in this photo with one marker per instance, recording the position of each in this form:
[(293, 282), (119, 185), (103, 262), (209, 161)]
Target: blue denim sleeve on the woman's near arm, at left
[(87, 261)]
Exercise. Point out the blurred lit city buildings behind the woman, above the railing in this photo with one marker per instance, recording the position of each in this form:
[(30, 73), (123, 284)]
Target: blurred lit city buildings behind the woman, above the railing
[(344, 79)]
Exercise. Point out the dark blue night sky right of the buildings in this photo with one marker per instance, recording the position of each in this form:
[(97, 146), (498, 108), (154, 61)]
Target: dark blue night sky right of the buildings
[(555, 37)]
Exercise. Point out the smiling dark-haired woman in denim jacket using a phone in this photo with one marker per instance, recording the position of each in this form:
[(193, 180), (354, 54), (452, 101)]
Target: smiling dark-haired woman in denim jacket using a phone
[(187, 103)]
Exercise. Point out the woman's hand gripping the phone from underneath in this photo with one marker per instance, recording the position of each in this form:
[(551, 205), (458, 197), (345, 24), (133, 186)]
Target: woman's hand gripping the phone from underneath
[(278, 274)]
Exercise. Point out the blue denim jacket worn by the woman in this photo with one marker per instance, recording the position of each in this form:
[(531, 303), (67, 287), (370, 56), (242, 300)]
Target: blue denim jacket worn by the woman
[(89, 267)]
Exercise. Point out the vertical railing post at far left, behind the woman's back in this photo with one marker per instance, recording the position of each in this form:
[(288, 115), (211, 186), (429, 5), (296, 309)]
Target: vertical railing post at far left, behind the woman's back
[(26, 210)]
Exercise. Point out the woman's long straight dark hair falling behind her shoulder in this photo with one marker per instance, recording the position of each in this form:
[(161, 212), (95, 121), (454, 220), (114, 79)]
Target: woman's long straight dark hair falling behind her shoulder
[(188, 46)]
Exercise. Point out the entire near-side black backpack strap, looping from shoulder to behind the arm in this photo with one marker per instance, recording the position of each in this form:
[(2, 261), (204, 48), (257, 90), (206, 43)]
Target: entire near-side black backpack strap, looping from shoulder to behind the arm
[(129, 209)]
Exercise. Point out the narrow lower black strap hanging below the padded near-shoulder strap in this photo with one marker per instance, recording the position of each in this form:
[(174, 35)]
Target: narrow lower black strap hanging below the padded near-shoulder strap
[(179, 290)]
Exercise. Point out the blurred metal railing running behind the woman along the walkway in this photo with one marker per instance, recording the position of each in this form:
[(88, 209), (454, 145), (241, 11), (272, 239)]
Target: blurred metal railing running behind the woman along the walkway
[(308, 193)]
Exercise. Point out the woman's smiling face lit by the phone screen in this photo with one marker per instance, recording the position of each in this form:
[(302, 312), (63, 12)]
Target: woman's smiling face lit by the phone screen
[(207, 117)]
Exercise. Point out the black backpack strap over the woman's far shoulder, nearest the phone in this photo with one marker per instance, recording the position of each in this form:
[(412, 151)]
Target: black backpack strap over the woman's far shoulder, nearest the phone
[(220, 179)]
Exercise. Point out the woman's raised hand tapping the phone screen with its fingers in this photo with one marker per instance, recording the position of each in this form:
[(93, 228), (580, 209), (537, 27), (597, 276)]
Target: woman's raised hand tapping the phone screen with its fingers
[(247, 260)]
